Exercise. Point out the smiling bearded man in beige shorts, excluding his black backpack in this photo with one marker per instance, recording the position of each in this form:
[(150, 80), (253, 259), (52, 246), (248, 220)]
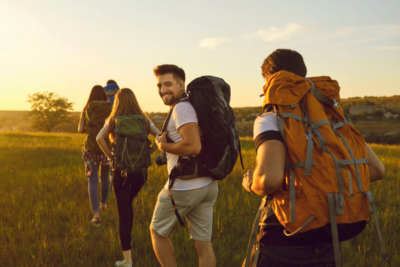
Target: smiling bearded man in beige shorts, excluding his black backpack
[(193, 198)]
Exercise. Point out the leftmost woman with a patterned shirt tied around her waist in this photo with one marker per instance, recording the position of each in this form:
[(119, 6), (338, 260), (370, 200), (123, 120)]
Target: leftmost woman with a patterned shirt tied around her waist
[(92, 155)]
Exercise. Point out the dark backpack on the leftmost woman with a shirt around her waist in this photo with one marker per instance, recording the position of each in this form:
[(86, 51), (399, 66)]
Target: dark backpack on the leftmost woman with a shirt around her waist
[(96, 114)]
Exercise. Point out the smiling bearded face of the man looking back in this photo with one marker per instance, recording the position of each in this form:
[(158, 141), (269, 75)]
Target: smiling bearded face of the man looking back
[(170, 89)]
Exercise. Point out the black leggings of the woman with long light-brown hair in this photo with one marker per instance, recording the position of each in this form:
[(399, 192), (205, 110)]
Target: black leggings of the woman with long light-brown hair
[(124, 194)]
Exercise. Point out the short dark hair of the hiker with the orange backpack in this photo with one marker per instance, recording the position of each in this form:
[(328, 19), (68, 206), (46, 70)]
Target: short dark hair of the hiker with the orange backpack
[(284, 59)]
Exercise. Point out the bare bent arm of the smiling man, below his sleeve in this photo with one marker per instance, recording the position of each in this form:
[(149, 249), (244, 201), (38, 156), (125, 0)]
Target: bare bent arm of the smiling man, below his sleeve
[(189, 146)]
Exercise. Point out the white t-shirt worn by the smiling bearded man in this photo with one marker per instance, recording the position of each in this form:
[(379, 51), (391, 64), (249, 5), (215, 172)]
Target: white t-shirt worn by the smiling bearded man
[(182, 114)]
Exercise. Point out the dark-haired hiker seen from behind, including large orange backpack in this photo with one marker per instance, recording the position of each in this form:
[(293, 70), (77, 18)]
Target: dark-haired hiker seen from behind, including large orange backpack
[(313, 167)]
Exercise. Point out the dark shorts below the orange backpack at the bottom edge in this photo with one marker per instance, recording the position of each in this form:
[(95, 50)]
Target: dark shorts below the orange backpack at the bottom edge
[(305, 256)]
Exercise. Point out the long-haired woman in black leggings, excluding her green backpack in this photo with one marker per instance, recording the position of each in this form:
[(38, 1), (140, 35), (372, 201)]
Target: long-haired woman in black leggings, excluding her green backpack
[(125, 188)]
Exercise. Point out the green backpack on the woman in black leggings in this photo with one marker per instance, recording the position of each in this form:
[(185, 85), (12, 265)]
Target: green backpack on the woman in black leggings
[(131, 146)]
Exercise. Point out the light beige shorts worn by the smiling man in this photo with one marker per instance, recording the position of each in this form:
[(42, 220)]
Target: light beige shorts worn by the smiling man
[(196, 205)]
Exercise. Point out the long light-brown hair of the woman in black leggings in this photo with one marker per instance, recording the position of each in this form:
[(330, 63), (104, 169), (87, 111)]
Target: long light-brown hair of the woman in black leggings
[(125, 101)]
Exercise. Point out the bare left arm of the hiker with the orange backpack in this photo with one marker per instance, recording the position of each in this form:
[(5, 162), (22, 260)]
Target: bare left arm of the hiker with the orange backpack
[(269, 171)]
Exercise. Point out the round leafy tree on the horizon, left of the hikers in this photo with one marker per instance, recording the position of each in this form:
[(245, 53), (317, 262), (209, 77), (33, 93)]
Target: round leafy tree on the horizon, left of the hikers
[(49, 111)]
